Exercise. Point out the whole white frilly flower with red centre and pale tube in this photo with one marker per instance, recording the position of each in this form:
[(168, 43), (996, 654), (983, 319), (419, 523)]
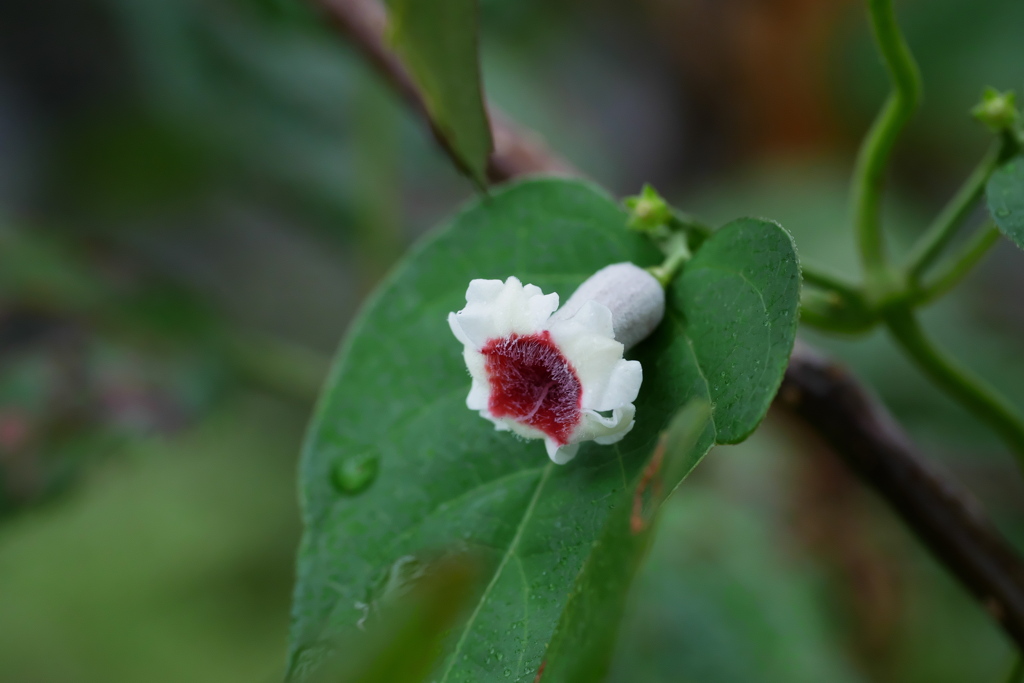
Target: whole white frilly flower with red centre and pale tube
[(559, 376)]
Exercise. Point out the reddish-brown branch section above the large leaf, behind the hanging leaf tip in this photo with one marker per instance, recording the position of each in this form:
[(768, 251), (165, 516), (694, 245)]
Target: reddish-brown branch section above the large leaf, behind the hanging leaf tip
[(518, 152)]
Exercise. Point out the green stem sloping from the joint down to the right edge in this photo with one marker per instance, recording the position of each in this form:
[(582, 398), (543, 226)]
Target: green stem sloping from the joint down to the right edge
[(972, 393)]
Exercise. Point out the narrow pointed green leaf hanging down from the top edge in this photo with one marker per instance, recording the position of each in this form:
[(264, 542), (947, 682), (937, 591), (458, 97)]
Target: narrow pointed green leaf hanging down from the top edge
[(439, 40)]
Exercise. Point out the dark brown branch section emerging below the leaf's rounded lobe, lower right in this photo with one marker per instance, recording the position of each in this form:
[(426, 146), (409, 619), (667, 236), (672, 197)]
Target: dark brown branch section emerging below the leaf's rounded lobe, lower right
[(945, 517)]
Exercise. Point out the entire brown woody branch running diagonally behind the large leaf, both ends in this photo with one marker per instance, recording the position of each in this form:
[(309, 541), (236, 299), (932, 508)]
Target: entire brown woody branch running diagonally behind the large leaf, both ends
[(829, 400)]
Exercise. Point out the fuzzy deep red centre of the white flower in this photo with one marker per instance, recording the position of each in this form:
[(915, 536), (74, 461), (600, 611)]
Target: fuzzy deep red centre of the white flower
[(533, 383)]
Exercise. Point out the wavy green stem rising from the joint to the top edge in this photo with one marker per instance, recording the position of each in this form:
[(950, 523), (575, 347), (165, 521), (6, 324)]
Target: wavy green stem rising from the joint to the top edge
[(878, 145)]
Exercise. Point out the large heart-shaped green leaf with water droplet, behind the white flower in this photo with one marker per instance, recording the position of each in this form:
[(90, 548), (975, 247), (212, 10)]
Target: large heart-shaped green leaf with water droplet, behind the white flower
[(394, 411)]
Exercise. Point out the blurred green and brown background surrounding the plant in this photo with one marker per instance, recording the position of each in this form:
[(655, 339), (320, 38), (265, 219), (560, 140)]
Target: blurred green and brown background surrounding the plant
[(196, 196)]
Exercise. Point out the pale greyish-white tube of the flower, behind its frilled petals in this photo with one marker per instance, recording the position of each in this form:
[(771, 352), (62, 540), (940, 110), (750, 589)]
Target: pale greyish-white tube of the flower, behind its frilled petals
[(634, 296)]
